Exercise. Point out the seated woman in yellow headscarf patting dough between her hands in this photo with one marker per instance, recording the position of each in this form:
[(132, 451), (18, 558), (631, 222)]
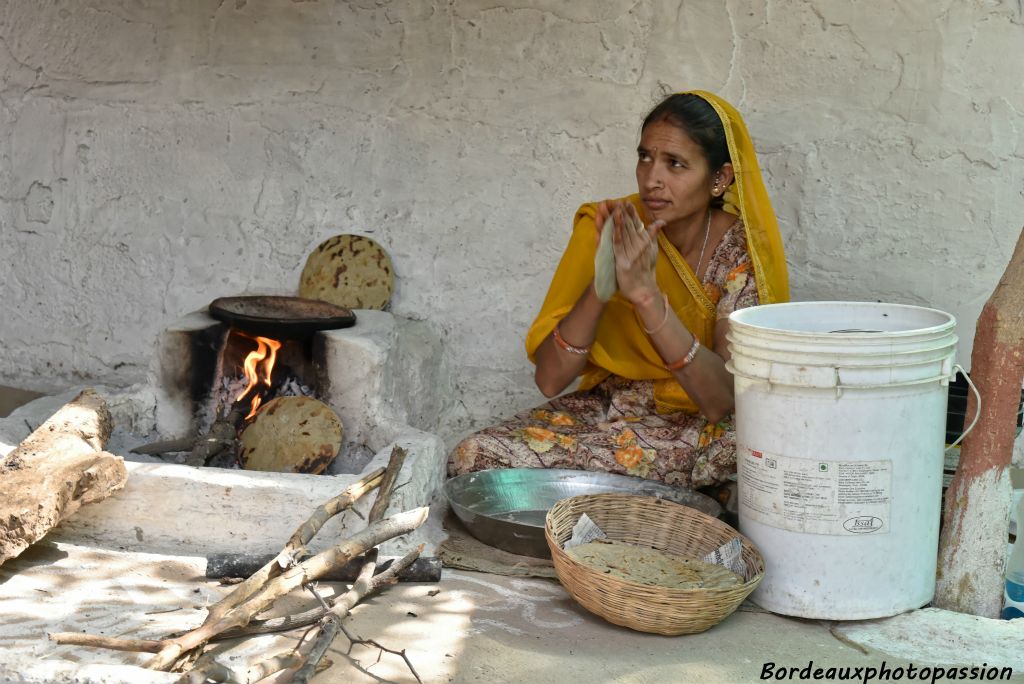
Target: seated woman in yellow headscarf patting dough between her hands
[(699, 241)]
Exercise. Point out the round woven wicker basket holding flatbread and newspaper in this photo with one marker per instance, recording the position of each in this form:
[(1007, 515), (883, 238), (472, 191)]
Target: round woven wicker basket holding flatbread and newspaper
[(664, 526)]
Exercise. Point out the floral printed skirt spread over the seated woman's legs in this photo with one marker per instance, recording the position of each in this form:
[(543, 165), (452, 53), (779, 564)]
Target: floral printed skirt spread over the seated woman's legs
[(611, 429)]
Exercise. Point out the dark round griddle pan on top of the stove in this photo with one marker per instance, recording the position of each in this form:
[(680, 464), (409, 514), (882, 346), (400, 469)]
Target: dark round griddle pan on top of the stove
[(280, 317)]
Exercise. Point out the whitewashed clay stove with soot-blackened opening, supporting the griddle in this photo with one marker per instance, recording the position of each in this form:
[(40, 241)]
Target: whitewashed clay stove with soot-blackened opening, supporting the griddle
[(375, 376)]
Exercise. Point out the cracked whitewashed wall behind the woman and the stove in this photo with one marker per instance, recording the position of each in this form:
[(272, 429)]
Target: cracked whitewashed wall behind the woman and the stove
[(156, 156)]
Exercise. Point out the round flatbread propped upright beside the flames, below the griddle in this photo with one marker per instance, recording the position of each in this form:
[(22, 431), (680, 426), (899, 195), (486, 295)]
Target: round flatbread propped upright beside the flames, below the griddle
[(290, 435)]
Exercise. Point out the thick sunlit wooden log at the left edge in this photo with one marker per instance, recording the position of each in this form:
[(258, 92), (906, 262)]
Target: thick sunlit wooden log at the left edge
[(57, 471)]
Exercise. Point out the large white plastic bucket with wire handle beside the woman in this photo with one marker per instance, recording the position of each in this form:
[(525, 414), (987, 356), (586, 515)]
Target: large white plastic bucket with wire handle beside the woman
[(840, 414)]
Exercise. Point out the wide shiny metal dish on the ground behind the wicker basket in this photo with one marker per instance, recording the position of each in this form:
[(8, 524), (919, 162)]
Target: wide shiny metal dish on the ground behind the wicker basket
[(505, 508)]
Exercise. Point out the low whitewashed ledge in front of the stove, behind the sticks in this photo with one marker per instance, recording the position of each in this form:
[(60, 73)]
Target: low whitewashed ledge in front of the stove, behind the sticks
[(182, 510)]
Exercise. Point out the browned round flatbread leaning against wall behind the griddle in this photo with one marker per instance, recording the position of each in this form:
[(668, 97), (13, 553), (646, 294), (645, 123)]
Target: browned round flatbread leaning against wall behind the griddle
[(349, 271)]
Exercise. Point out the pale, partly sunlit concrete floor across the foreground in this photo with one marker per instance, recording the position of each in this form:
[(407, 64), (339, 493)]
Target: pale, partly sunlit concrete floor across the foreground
[(468, 628)]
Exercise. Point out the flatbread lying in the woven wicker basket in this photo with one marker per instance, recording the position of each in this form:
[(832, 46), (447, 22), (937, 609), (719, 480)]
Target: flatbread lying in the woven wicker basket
[(653, 568)]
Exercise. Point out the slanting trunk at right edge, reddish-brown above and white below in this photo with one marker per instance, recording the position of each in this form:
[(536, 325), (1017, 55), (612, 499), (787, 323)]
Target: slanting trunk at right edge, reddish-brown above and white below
[(973, 543)]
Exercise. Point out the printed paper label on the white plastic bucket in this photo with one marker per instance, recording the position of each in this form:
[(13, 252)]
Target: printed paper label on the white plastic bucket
[(841, 498)]
